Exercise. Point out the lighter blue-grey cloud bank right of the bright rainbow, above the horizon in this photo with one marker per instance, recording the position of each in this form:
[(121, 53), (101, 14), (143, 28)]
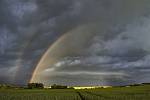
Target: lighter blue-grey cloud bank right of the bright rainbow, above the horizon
[(127, 52)]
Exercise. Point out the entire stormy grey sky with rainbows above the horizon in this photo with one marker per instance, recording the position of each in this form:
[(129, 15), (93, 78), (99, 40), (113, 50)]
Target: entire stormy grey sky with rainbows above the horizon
[(75, 42)]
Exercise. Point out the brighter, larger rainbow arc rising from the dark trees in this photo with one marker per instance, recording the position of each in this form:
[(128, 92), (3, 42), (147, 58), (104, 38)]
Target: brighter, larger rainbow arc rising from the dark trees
[(85, 31)]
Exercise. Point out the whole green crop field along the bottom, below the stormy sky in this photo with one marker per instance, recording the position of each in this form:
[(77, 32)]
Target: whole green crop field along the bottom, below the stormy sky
[(116, 93)]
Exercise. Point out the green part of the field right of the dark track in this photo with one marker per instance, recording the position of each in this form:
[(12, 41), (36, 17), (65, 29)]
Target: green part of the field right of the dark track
[(124, 93)]
